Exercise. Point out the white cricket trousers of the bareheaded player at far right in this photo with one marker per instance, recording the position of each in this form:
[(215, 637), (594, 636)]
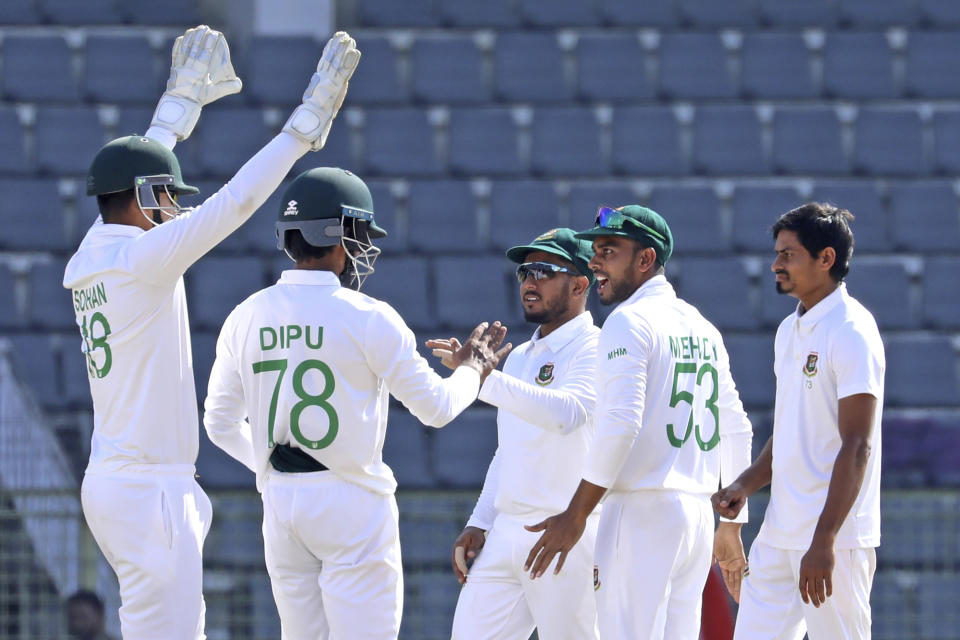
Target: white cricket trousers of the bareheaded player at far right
[(771, 607)]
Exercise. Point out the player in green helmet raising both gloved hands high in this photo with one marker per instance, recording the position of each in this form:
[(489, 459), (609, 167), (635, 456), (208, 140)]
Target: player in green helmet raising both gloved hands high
[(140, 499)]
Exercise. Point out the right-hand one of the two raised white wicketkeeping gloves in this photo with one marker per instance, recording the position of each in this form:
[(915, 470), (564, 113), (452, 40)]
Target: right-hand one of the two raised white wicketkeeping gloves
[(328, 86)]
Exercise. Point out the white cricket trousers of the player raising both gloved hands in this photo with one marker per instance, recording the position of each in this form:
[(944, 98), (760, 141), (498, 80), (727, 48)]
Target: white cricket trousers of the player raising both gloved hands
[(150, 524)]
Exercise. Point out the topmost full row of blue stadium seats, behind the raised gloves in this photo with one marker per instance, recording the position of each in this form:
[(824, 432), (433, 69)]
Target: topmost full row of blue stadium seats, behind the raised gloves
[(520, 67)]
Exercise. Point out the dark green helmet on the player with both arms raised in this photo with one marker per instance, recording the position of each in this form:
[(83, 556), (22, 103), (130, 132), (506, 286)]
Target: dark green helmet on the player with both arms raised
[(120, 162)]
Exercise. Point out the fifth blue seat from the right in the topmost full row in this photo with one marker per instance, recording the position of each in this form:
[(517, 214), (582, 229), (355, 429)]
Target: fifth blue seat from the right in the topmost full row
[(611, 68)]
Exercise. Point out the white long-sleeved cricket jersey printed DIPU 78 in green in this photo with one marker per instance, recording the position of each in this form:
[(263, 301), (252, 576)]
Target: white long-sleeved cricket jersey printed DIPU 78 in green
[(311, 364)]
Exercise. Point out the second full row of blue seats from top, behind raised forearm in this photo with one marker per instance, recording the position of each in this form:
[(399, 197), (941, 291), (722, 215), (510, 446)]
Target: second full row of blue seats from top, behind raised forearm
[(564, 142)]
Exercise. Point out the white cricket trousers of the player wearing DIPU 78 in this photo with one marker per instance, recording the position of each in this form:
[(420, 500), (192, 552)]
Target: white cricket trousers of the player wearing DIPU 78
[(333, 554)]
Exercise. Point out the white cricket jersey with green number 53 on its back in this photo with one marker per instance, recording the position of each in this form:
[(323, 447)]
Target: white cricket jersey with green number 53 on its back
[(668, 415)]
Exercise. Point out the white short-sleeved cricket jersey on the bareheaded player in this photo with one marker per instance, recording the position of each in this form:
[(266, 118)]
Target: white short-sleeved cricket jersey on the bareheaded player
[(830, 352)]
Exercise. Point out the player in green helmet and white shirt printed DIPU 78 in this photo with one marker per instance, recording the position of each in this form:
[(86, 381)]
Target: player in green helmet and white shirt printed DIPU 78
[(299, 394)]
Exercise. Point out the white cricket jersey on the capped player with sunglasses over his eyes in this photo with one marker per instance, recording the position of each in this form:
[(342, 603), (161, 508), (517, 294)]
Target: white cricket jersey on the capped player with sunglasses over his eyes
[(545, 397)]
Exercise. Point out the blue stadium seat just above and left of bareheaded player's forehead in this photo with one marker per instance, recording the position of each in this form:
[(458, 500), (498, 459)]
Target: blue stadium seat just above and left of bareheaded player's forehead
[(755, 209)]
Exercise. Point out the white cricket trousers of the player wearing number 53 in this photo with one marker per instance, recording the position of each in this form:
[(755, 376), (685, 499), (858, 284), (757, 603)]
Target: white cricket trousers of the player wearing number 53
[(654, 550)]
